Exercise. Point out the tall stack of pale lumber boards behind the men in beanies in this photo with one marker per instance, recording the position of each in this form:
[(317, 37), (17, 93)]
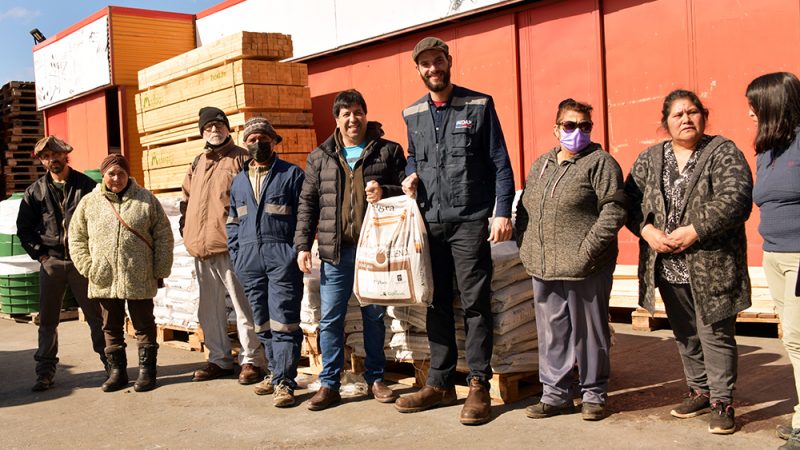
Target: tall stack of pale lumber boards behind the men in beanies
[(240, 74)]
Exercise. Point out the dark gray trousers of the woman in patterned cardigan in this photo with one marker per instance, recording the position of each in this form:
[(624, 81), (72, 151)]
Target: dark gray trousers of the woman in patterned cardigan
[(708, 351)]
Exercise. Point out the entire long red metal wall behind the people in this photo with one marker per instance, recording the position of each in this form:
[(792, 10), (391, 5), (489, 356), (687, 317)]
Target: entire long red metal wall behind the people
[(622, 56)]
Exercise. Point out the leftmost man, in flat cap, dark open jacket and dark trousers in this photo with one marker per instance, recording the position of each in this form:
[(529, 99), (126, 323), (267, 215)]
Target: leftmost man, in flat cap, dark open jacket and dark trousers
[(44, 217)]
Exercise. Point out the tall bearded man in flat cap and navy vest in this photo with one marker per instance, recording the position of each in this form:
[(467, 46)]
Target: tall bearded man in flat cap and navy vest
[(458, 166)]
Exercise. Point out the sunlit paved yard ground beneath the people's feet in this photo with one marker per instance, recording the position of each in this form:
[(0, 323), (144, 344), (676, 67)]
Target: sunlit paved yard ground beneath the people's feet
[(647, 380)]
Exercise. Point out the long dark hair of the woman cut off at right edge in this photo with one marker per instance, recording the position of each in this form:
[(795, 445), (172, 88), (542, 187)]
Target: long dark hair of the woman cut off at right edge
[(775, 99)]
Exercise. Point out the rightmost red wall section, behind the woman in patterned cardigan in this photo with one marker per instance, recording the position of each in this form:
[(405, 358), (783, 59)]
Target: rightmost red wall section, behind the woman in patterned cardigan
[(713, 47)]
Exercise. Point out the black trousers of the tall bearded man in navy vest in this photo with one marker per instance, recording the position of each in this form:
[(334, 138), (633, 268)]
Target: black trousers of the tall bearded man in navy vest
[(461, 249)]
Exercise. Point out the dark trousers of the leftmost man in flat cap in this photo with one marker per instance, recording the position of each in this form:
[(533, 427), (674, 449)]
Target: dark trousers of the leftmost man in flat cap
[(54, 277)]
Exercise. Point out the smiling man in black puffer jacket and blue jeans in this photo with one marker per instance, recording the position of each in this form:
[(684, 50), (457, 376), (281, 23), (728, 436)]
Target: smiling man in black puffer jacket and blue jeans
[(355, 165)]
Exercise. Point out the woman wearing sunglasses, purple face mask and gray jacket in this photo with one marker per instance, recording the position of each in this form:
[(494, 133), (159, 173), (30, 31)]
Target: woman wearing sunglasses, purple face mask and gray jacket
[(566, 228)]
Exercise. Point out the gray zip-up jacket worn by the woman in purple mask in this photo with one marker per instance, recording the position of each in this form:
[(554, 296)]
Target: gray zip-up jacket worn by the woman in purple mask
[(569, 215)]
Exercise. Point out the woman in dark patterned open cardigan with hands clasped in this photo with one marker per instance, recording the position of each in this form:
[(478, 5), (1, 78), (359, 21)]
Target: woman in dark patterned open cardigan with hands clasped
[(689, 198)]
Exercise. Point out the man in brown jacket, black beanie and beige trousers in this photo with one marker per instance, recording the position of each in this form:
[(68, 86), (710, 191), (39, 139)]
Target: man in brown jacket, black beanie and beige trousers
[(204, 212)]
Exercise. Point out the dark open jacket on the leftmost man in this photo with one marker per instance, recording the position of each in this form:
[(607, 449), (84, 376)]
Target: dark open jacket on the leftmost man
[(43, 221)]
